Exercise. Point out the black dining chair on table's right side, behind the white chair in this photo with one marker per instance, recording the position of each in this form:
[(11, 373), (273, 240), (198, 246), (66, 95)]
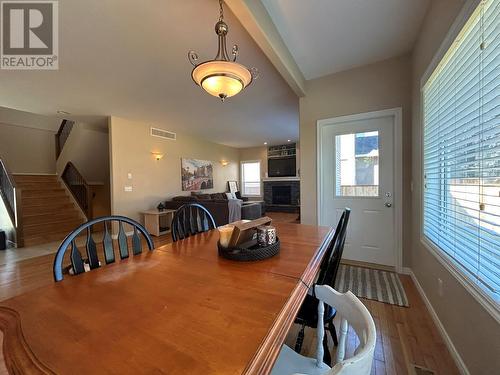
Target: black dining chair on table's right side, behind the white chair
[(307, 315)]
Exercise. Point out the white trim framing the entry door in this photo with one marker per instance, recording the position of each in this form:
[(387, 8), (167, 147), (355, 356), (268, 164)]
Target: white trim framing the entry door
[(397, 113)]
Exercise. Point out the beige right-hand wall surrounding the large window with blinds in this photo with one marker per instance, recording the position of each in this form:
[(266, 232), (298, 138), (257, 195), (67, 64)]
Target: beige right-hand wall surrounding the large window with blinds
[(475, 333)]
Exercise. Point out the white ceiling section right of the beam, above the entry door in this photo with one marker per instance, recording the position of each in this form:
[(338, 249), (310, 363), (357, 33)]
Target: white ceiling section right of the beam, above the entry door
[(329, 36)]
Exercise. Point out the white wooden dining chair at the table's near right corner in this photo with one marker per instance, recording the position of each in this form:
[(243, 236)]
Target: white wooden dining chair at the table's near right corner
[(353, 313)]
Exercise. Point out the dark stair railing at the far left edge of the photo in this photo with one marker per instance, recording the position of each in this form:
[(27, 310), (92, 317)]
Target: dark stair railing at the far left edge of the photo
[(11, 196)]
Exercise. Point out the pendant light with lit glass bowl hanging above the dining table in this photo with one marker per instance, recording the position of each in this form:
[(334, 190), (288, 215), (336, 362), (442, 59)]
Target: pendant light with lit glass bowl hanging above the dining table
[(223, 76)]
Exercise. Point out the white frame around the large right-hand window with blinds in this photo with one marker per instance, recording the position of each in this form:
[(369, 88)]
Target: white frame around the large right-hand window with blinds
[(453, 267)]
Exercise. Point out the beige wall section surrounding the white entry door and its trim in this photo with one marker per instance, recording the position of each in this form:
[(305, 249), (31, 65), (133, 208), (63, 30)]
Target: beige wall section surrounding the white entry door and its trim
[(374, 87)]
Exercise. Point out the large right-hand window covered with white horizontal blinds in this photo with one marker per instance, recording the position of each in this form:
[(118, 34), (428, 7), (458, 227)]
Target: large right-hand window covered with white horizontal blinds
[(461, 112)]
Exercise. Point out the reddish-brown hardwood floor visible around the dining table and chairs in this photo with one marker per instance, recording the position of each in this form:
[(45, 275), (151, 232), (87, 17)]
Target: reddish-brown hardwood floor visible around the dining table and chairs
[(405, 336)]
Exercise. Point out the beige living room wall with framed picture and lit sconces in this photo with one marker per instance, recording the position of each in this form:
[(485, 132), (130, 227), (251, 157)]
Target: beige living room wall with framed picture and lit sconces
[(155, 181)]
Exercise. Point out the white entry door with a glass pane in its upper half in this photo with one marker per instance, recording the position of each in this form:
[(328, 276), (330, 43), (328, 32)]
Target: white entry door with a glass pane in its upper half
[(356, 167)]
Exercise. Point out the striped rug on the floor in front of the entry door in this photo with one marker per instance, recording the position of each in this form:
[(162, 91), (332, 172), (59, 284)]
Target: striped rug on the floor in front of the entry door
[(383, 286)]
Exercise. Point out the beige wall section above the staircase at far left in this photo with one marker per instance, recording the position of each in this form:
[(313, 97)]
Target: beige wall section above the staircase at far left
[(27, 150)]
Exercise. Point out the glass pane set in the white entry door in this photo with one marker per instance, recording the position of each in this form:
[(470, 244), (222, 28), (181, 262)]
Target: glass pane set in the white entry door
[(357, 168)]
